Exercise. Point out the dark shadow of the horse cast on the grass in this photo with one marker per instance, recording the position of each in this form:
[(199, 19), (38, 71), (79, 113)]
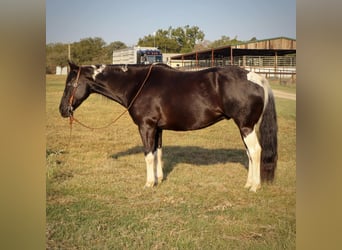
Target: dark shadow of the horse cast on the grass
[(173, 155)]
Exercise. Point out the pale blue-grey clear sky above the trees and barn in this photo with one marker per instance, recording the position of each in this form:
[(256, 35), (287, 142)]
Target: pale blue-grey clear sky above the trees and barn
[(69, 21)]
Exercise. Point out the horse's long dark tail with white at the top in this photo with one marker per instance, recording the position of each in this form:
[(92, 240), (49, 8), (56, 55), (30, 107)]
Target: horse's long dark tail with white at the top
[(268, 136)]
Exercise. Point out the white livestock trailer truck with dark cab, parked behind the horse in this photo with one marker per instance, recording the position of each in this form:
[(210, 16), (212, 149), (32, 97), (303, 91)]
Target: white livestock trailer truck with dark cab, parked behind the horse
[(137, 55)]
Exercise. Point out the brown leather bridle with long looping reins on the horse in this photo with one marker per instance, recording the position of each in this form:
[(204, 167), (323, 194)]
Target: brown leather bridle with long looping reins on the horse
[(75, 85)]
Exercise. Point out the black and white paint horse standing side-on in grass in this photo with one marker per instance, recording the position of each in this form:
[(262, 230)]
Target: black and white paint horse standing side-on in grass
[(158, 97)]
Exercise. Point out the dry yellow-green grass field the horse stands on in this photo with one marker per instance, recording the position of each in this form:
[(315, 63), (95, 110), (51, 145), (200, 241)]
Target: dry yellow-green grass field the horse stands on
[(96, 199)]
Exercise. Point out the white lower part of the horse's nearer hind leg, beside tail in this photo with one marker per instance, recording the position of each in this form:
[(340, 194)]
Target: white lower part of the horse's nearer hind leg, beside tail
[(254, 150)]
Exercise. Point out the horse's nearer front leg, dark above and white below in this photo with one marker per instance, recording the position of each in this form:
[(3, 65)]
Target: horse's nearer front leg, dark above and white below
[(148, 135)]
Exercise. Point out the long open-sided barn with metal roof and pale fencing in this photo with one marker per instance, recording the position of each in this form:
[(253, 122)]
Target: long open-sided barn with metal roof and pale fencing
[(274, 57)]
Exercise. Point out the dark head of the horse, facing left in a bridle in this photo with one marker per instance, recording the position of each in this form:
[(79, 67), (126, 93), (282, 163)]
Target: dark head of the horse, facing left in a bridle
[(77, 88)]
